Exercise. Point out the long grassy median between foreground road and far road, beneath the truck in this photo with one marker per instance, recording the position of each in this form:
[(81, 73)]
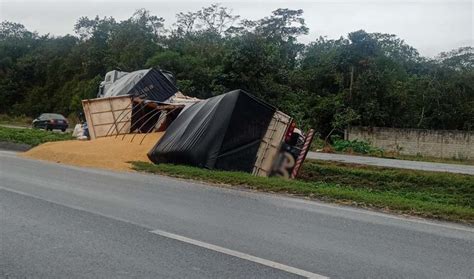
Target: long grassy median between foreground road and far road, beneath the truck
[(425, 199)]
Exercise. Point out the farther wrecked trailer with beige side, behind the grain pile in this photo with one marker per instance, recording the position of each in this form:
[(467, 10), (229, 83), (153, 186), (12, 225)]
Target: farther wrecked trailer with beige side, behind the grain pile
[(141, 101)]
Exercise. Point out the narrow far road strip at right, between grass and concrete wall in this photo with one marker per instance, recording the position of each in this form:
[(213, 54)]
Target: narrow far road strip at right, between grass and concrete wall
[(392, 163)]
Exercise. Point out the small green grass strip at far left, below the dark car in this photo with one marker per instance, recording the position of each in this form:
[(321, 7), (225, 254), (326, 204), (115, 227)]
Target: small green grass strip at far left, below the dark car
[(31, 136)]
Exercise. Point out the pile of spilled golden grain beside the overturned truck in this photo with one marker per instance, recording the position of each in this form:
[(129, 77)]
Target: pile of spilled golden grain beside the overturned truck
[(108, 153)]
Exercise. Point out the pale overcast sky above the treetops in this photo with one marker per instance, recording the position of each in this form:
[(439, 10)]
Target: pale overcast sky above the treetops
[(429, 26)]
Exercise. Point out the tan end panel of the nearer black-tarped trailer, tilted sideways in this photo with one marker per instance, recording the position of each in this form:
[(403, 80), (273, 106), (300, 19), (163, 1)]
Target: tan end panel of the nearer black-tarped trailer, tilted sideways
[(271, 144)]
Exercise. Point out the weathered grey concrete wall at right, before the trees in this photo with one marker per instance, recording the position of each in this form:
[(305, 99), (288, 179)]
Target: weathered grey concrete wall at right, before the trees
[(435, 143)]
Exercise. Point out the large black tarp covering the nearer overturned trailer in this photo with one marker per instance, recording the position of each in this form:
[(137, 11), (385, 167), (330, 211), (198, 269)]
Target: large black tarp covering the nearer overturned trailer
[(223, 132)]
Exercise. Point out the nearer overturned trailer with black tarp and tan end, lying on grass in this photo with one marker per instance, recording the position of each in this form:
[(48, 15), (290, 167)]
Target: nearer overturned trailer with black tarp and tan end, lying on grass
[(234, 131)]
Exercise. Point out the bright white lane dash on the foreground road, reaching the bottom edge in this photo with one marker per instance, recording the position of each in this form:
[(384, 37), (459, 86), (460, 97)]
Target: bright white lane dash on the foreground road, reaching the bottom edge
[(241, 255)]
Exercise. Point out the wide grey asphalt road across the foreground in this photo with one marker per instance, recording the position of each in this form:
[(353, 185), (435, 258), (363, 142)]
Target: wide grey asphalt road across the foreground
[(66, 222)]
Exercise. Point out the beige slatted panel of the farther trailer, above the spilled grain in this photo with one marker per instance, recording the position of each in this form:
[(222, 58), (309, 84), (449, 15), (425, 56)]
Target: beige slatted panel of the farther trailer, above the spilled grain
[(108, 116)]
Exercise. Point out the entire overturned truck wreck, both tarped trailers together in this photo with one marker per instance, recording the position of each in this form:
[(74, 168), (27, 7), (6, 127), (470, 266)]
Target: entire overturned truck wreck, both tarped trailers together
[(234, 131)]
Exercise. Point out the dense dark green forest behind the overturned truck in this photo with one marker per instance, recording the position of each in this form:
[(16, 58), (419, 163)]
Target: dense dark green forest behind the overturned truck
[(369, 79)]
